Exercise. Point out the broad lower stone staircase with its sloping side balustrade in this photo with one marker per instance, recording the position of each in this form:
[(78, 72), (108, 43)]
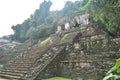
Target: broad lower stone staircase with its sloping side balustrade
[(35, 61)]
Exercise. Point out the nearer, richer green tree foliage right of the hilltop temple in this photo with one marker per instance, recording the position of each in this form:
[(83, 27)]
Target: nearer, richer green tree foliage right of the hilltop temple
[(105, 13)]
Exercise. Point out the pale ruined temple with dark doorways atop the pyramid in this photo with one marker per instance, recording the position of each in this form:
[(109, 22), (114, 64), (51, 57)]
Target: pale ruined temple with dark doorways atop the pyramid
[(71, 22)]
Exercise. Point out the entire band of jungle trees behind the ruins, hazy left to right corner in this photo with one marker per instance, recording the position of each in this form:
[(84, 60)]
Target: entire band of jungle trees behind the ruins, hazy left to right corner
[(105, 14)]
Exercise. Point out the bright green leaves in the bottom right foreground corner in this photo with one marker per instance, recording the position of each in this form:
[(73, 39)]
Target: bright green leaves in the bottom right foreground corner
[(112, 74)]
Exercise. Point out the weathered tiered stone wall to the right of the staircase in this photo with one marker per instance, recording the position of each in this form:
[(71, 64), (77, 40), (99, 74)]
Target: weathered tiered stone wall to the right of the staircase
[(88, 57)]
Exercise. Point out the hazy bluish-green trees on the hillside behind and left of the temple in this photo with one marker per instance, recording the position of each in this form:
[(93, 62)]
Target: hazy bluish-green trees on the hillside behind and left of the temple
[(44, 22)]
